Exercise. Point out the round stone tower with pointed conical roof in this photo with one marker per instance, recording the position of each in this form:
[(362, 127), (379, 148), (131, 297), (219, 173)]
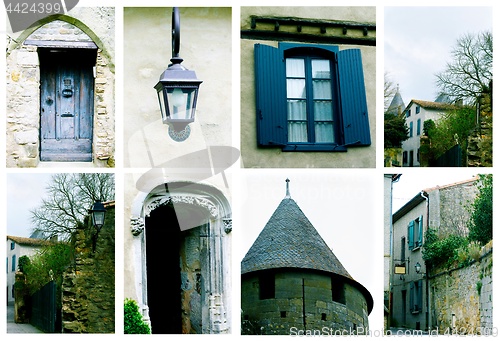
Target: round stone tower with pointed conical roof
[(291, 281)]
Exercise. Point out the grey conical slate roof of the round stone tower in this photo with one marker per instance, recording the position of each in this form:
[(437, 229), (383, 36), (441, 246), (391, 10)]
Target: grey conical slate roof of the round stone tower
[(289, 240)]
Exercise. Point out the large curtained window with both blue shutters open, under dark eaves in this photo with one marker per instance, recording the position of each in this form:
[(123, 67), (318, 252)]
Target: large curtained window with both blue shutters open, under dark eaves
[(310, 98)]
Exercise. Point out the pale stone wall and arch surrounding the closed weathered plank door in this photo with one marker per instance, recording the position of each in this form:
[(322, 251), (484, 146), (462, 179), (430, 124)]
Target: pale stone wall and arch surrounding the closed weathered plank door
[(23, 83)]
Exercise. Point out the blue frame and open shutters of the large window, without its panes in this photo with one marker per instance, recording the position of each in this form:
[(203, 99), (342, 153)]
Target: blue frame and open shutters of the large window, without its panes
[(270, 84)]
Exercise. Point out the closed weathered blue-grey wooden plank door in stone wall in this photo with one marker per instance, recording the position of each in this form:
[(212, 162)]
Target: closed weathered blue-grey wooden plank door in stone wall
[(66, 104)]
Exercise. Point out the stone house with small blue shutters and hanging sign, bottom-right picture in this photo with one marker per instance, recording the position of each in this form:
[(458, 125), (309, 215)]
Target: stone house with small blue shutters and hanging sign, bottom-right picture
[(444, 208)]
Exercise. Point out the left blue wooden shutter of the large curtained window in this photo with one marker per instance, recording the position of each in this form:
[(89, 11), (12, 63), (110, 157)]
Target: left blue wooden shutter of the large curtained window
[(270, 92)]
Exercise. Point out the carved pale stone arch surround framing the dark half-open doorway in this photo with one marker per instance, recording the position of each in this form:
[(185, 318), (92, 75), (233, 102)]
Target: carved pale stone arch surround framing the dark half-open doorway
[(210, 204)]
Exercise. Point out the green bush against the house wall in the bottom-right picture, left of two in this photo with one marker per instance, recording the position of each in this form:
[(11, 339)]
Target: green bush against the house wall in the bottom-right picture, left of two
[(443, 251)]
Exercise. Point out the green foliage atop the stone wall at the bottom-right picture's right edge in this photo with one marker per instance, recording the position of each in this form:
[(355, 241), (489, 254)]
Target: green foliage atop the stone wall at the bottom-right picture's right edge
[(481, 222)]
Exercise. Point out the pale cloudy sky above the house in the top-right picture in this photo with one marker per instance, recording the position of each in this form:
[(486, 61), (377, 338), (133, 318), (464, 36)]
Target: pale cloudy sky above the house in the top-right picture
[(418, 42)]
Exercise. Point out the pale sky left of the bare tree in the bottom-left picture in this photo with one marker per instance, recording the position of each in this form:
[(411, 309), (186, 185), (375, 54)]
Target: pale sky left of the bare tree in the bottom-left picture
[(25, 191)]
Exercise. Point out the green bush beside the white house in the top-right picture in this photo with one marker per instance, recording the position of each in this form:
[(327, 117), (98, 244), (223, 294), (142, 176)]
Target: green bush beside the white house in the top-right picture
[(454, 127)]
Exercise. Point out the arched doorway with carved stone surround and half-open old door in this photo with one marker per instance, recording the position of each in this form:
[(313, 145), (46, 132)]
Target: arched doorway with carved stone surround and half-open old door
[(182, 231)]
